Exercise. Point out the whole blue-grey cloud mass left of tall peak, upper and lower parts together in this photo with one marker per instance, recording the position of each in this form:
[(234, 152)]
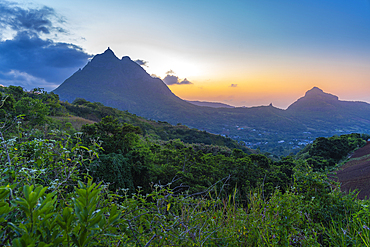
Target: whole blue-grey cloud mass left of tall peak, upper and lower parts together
[(29, 60)]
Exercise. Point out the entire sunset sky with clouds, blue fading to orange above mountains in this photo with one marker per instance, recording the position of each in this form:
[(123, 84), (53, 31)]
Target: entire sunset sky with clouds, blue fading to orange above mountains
[(239, 52)]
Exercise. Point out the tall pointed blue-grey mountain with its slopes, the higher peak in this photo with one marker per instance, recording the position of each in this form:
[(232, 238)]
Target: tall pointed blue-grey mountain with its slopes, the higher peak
[(125, 85)]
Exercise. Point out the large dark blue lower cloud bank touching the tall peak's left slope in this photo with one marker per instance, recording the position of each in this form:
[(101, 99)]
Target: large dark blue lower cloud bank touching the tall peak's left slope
[(44, 59)]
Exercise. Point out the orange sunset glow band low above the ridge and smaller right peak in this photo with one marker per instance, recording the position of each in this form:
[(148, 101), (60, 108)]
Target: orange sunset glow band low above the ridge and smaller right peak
[(276, 87)]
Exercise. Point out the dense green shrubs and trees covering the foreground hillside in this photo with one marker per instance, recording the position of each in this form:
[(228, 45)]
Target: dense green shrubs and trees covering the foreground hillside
[(83, 174)]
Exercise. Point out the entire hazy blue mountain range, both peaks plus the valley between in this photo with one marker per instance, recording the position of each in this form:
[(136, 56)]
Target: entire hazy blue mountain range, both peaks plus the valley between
[(125, 85)]
